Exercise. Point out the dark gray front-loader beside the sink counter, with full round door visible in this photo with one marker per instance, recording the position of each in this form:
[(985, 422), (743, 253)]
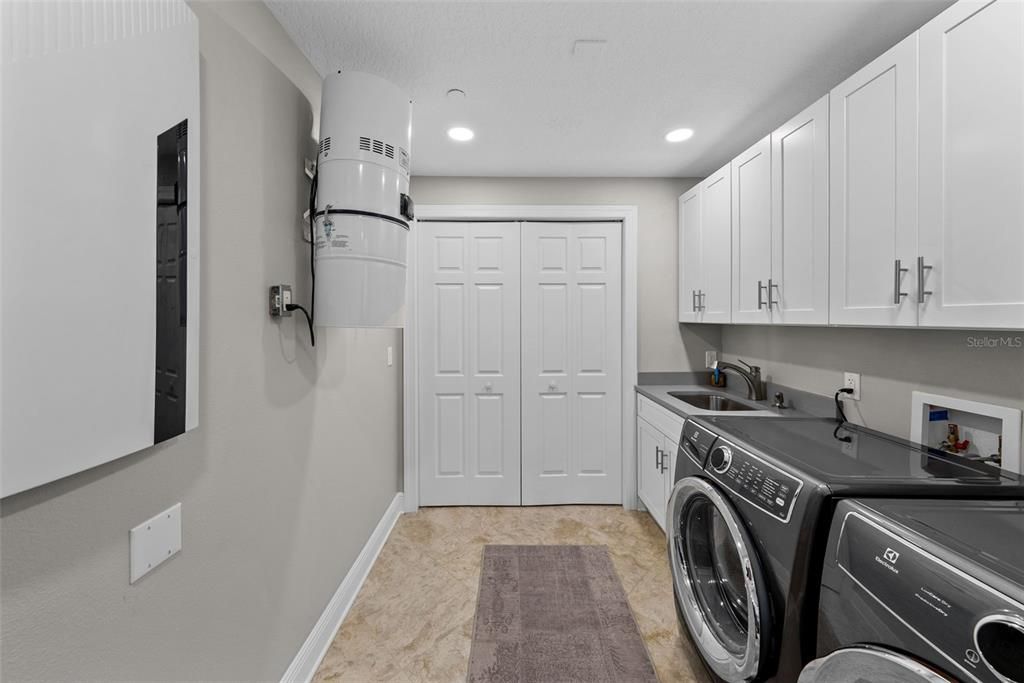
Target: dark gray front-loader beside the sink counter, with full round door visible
[(749, 518)]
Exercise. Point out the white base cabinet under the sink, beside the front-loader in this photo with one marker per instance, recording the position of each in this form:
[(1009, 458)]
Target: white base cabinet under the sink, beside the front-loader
[(658, 439)]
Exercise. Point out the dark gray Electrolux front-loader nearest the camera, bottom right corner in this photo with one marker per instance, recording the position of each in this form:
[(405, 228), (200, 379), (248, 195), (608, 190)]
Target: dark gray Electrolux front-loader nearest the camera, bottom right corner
[(933, 590)]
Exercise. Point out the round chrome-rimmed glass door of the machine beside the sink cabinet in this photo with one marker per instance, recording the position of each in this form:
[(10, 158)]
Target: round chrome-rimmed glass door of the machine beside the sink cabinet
[(720, 588)]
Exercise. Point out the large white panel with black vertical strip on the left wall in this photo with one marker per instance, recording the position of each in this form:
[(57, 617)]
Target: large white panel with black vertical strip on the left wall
[(100, 254)]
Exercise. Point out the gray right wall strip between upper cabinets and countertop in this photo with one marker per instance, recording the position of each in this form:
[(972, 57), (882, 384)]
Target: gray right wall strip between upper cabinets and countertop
[(892, 364)]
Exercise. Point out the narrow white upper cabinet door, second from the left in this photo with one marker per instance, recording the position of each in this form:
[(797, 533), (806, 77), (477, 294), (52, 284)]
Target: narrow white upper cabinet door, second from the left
[(716, 250)]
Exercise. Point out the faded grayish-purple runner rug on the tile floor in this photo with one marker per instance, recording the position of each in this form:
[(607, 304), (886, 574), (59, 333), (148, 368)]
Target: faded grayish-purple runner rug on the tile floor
[(554, 614)]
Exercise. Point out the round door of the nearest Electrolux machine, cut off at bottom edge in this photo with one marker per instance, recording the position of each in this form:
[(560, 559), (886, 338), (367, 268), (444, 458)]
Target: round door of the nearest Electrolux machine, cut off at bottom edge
[(869, 663)]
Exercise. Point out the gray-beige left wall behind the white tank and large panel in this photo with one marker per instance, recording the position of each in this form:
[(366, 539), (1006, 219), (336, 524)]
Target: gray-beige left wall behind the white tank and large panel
[(296, 457)]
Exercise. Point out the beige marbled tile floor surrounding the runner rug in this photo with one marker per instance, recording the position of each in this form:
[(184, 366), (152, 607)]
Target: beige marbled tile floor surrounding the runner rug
[(413, 621)]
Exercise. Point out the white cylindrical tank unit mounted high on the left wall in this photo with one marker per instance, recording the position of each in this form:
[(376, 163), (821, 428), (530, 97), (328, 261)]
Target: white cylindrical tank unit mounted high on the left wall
[(364, 211)]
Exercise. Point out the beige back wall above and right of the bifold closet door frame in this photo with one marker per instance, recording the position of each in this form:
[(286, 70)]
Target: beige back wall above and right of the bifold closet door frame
[(664, 345)]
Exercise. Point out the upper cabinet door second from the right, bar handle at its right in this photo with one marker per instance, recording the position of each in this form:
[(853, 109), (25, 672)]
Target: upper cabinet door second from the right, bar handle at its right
[(874, 192)]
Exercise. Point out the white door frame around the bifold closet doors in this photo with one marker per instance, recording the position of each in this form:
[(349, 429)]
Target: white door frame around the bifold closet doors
[(628, 217)]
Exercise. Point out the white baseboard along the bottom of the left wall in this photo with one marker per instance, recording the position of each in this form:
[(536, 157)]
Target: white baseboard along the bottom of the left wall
[(305, 665)]
